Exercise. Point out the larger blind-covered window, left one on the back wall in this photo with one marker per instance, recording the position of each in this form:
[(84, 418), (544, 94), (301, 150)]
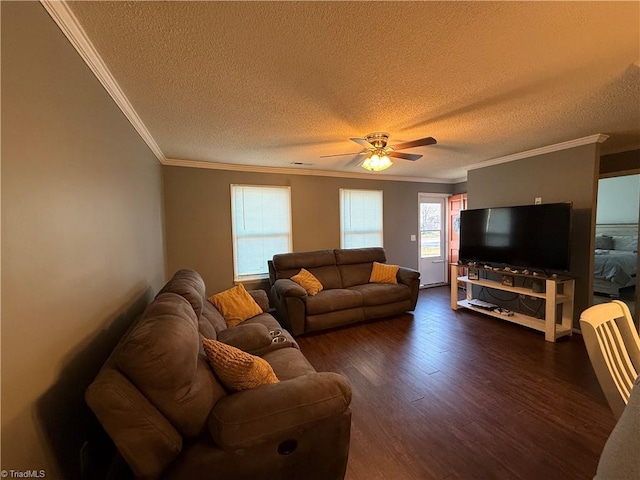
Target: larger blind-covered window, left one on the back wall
[(261, 226)]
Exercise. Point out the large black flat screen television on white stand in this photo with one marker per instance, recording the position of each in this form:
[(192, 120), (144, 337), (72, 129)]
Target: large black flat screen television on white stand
[(525, 236)]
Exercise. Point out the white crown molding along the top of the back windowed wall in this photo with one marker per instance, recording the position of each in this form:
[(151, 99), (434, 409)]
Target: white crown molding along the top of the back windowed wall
[(174, 162)]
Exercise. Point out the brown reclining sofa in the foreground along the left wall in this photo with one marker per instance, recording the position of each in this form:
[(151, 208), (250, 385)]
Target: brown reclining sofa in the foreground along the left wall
[(170, 417)]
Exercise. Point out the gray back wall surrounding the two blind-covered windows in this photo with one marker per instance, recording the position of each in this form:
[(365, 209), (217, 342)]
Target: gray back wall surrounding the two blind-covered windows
[(198, 217)]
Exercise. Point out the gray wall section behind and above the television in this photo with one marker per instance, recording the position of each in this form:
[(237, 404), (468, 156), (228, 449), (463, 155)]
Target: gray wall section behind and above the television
[(564, 176)]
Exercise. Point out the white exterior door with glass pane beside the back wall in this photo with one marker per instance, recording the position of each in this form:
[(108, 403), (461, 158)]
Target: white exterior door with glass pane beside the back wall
[(432, 254)]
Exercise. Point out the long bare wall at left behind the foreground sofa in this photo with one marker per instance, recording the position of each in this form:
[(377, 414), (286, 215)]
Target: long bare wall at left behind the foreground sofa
[(82, 238)]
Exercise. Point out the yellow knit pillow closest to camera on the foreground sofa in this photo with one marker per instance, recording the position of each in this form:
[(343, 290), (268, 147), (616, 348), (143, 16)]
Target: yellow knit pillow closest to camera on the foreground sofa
[(238, 370)]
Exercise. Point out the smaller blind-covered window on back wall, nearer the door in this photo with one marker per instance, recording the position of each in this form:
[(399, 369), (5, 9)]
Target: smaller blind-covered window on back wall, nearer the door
[(360, 218)]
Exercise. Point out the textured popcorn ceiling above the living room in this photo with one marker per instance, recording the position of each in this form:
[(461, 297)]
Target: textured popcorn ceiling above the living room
[(271, 83)]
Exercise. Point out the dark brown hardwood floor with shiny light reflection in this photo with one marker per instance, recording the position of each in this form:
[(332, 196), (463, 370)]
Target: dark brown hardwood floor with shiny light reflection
[(439, 394)]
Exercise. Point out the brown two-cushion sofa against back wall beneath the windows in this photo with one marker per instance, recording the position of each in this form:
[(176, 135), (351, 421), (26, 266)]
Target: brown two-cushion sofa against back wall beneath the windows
[(347, 296)]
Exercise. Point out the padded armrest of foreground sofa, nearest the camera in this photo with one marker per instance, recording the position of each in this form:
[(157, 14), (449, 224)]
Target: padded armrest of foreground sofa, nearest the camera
[(270, 412)]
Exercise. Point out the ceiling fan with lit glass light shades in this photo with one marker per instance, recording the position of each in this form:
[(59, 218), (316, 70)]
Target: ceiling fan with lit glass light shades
[(378, 152)]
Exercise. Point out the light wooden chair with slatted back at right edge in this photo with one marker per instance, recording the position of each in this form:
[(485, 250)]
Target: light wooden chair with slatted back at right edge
[(614, 350)]
